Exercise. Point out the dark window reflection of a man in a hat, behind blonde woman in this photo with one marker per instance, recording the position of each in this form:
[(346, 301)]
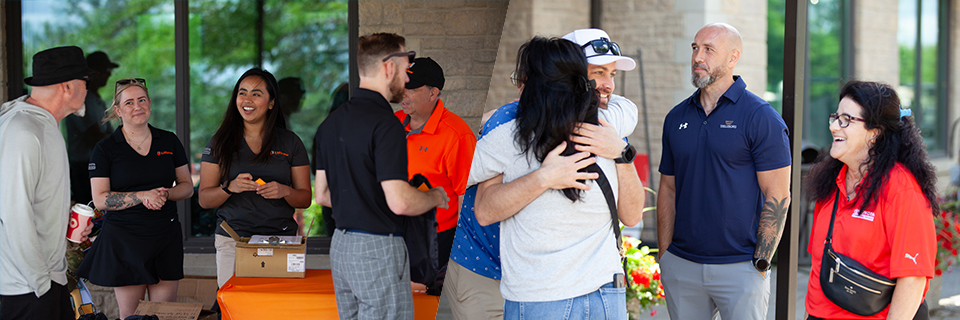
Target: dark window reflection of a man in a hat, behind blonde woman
[(84, 131)]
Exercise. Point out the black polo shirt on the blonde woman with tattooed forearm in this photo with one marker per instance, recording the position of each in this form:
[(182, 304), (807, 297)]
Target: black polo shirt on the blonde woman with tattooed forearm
[(129, 172)]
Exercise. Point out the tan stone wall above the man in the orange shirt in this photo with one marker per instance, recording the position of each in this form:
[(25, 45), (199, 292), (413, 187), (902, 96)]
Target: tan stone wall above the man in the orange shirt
[(462, 36)]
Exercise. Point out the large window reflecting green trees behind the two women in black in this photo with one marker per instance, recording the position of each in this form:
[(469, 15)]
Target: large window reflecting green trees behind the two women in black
[(301, 39)]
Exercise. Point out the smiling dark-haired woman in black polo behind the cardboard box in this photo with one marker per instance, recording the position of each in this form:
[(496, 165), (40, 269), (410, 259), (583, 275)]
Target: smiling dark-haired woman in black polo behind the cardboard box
[(254, 169)]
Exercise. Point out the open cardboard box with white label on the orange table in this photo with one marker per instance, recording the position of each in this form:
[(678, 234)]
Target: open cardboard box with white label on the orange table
[(260, 260)]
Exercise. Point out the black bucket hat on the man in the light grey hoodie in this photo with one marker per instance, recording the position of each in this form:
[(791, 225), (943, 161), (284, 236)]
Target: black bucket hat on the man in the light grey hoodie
[(56, 65)]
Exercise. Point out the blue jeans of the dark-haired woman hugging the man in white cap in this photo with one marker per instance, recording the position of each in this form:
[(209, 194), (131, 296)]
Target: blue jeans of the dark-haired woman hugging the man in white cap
[(605, 303)]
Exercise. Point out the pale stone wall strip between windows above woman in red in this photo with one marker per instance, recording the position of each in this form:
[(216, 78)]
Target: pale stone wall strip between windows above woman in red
[(876, 52)]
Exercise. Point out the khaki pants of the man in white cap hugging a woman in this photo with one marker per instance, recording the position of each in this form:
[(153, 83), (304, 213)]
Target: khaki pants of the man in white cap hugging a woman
[(471, 295)]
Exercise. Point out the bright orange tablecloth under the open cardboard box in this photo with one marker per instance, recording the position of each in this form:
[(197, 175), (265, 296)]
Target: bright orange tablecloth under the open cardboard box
[(309, 298)]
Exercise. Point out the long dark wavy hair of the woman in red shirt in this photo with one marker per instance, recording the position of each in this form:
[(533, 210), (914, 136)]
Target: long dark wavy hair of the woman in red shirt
[(898, 141)]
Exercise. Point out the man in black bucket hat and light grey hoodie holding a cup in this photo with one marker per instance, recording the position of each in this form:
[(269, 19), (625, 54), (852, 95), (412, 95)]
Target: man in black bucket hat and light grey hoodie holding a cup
[(35, 187)]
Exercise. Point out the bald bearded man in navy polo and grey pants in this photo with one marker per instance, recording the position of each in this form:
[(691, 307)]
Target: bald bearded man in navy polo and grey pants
[(724, 189)]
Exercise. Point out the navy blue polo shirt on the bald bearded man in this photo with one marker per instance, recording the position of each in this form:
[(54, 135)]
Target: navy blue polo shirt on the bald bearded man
[(714, 160)]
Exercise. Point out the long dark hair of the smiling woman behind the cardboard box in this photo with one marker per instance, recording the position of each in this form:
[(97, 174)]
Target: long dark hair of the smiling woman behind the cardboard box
[(226, 141)]
